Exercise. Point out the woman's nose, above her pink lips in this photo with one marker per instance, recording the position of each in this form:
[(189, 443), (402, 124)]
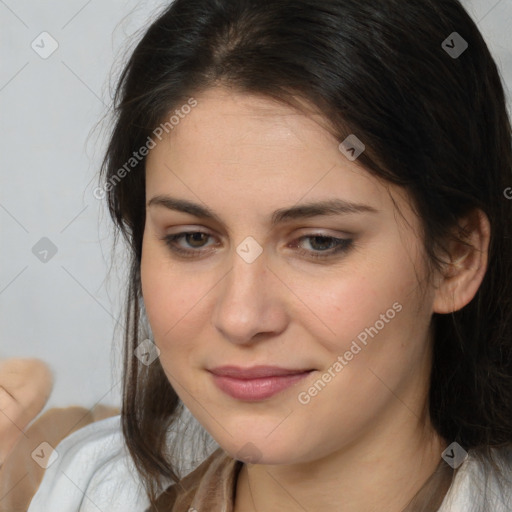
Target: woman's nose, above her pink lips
[(250, 302)]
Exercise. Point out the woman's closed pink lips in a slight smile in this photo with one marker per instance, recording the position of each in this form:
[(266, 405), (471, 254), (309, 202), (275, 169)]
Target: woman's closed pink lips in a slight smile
[(256, 383)]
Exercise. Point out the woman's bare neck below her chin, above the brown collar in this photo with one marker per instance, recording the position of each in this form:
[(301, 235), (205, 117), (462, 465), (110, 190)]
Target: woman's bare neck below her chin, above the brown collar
[(381, 471)]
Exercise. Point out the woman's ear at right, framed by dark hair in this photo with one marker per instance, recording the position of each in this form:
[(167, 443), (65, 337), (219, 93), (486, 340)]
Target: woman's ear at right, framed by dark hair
[(465, 271)]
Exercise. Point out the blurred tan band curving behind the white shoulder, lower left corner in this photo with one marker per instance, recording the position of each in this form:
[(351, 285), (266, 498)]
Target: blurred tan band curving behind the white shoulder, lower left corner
[(21, 473)]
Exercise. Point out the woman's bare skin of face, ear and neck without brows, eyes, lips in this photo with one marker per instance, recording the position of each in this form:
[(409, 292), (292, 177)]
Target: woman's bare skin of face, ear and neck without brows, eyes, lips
[(365, 440)]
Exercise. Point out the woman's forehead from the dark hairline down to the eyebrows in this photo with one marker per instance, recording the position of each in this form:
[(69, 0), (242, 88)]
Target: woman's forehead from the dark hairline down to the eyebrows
[(252, 147)]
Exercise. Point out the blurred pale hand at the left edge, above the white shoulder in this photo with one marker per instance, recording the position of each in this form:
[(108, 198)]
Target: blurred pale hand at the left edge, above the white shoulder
[(25, 386)]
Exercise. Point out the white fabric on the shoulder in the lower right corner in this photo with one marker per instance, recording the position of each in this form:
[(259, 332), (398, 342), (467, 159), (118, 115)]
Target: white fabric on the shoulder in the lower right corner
[(478, 486)]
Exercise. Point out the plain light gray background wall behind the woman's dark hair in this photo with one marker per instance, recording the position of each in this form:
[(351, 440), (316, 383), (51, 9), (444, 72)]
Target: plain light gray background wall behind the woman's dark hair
[(64, 311)]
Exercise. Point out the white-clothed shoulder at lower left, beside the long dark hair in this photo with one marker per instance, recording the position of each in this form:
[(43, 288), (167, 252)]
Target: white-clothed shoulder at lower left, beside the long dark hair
[(91, 470)]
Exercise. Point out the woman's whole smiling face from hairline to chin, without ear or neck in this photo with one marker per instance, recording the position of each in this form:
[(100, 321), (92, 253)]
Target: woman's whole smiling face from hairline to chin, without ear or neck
[(263, 285)]
